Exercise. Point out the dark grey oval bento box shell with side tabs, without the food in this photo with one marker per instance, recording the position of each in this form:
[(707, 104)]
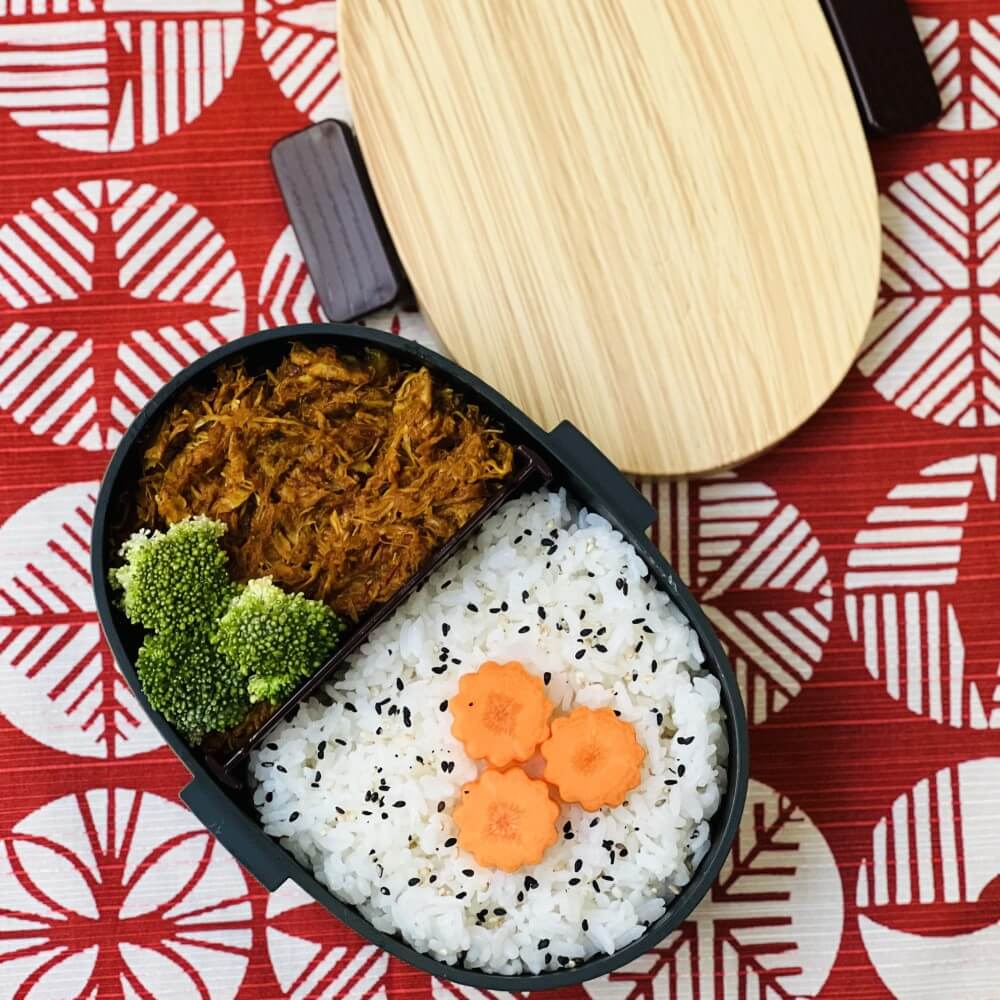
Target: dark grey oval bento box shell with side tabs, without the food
[(219, 799)]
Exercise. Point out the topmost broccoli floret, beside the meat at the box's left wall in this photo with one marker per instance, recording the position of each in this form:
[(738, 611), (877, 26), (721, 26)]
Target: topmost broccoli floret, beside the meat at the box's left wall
[(177, 580)]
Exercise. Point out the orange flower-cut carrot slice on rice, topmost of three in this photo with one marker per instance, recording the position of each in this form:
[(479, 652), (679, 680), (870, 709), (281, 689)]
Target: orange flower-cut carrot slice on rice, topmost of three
[(501, 713)]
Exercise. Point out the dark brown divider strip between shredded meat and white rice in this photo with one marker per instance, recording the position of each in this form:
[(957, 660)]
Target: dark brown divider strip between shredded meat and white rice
[(530, 470)]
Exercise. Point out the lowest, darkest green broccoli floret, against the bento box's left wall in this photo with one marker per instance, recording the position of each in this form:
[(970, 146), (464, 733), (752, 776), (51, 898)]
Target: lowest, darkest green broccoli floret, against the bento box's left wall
[(188, 681)]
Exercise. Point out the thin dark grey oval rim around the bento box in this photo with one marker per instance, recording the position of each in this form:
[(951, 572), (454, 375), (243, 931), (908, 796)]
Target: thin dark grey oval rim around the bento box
[(731, 809)]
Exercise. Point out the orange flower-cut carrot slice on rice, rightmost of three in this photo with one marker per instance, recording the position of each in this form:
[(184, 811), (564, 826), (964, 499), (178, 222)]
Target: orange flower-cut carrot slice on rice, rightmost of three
[(593, 758)]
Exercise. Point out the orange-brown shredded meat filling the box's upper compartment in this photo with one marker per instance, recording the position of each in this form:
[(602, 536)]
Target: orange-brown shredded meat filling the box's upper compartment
[(335, 476)]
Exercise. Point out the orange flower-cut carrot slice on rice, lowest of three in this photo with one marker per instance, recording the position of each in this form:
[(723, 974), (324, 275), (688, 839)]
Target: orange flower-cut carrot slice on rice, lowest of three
[(506, 819)]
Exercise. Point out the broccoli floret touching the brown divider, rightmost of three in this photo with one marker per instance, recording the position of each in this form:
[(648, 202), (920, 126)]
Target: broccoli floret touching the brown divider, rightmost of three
[(275, 638)]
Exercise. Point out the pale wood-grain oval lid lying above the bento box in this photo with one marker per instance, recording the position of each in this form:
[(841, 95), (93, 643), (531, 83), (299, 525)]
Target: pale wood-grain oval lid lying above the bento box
[(656, 218)]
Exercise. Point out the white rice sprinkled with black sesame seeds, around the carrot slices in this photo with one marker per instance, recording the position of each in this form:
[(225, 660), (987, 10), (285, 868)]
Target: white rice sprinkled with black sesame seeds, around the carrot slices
[(360, 785)]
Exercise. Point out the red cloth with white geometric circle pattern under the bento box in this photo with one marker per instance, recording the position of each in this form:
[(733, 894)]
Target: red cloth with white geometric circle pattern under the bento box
[(852, 572)]
